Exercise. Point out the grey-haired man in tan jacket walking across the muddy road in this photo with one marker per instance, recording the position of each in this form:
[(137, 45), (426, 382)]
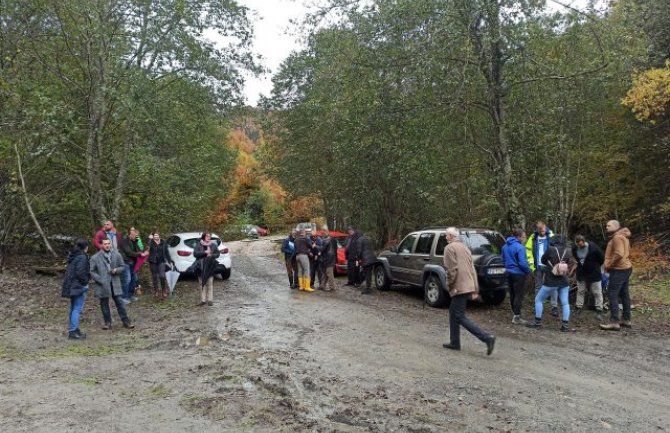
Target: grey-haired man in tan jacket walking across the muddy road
[(463, 285)]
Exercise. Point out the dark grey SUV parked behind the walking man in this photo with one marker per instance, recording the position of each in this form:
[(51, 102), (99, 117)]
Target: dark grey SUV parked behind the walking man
[(418, 261)]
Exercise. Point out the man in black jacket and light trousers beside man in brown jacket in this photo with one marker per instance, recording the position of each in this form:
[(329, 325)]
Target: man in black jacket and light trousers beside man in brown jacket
[(590, 259)]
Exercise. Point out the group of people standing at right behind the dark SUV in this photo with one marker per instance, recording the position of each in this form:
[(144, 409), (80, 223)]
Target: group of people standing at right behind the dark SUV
[(545, 257)]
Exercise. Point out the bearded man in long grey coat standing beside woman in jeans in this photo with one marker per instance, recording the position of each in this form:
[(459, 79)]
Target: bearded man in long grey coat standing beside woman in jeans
[(107, 266)]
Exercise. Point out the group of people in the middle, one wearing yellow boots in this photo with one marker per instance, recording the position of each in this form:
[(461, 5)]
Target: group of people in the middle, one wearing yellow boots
[(310, 257)]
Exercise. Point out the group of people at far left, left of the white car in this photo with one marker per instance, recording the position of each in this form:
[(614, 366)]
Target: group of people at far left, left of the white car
[(113, 271)]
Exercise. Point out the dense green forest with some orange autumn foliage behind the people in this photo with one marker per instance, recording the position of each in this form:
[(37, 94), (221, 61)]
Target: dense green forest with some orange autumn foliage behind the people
[(394, 115)]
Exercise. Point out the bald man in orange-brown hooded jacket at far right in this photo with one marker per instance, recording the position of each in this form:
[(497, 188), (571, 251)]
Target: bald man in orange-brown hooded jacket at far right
[(617, 263)]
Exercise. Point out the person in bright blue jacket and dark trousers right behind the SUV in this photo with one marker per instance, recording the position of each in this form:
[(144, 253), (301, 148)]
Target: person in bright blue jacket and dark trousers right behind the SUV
[(516, 264)]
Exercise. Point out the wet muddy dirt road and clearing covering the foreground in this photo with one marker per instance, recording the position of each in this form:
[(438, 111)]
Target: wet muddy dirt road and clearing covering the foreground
[(268, 359)]
